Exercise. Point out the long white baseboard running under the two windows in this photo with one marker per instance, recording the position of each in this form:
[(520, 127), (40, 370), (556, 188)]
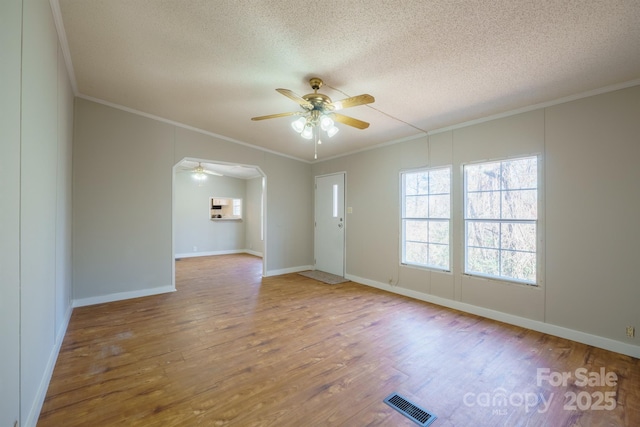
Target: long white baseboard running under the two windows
[(536, 325)]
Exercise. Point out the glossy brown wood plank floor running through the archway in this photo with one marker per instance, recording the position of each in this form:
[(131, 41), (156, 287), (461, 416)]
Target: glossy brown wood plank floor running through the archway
[(233, 348)]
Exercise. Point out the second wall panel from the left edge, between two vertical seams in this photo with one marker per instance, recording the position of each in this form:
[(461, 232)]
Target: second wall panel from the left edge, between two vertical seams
[(38, 201)]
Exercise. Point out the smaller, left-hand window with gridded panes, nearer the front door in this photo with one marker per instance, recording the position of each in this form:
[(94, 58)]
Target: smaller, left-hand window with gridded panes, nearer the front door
[(426, 218)]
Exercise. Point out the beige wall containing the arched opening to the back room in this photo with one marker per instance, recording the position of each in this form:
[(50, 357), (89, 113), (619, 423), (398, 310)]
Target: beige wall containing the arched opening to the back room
[(122, 207)]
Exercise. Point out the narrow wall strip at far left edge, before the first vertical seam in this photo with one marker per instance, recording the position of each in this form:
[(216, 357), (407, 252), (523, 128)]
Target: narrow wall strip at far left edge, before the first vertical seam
[(10, 74)]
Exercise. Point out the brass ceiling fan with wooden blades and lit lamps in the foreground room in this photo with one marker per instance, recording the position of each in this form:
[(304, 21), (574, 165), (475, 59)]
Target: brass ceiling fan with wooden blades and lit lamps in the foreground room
[(319, 112)]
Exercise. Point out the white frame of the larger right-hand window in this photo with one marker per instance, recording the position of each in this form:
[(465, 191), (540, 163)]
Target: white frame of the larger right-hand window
[(501, 221)]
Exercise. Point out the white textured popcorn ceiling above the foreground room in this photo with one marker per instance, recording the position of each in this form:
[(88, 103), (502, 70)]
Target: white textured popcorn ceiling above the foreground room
[(213, 65)]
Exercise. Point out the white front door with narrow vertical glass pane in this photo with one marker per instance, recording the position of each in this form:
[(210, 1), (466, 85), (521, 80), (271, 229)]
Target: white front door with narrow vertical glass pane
[(329, 224)]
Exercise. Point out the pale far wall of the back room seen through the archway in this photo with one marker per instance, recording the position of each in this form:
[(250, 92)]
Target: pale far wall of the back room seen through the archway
[(194, 229)]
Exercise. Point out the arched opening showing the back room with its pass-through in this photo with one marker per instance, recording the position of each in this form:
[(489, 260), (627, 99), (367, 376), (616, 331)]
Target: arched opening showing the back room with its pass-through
[(199, 228)]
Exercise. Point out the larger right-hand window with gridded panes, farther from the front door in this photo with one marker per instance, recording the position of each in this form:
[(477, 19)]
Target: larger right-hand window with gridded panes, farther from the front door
[(500, 216)]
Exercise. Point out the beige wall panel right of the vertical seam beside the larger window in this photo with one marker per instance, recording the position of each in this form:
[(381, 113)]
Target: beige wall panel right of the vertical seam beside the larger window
[(593, 201)]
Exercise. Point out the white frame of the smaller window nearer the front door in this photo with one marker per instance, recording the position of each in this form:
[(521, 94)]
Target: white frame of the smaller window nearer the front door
[(404, 218)]
